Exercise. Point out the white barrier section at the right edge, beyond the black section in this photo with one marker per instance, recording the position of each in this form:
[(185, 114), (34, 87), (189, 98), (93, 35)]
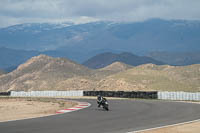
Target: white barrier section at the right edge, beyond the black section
[(185, 96)]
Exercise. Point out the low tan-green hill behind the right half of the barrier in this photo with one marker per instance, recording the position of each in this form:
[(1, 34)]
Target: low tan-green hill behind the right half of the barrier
[(153, 77)]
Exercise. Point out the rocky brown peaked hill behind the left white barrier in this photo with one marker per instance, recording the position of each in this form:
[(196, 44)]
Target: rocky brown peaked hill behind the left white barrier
[(47, 73)]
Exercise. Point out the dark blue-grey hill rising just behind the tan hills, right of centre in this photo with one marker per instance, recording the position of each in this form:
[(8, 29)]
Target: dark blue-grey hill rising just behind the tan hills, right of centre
[(105, 59)]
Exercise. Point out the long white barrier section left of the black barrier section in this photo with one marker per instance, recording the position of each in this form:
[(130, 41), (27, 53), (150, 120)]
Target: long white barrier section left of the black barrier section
[(46, 93)]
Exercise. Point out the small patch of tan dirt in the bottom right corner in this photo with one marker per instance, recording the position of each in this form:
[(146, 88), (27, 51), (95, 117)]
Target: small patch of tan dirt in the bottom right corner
[(186, 128)]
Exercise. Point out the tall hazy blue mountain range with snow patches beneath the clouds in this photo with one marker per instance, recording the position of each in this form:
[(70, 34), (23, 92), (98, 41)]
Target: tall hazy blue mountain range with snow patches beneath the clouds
[(83, 41)]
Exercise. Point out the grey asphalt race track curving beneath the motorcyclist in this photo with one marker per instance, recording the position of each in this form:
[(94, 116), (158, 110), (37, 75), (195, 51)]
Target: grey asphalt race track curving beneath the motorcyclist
[(124, 116)]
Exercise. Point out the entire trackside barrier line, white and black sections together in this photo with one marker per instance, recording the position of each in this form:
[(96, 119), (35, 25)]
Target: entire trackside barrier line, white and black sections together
[(184, 96)]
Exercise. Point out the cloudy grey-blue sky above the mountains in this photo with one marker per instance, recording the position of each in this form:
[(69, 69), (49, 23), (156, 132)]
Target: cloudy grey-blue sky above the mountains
[(81, 11)]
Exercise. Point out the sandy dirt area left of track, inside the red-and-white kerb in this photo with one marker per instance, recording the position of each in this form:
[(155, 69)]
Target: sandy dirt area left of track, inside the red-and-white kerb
[(19, 108)]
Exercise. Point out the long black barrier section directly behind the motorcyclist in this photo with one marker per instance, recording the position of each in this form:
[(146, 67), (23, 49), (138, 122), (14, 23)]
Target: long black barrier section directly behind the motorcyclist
[(123, 94)]
